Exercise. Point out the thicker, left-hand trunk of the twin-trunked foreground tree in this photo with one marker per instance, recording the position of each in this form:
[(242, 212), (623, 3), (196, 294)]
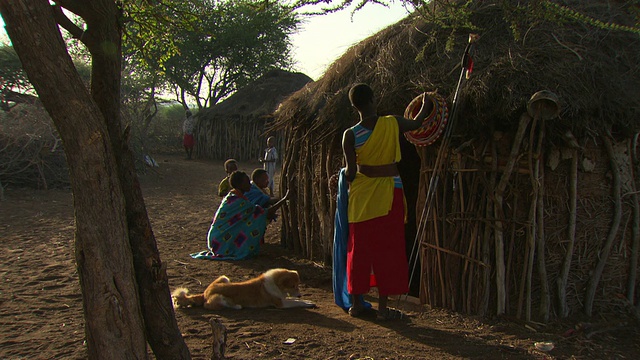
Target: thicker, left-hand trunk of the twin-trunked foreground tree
[(114, 325)]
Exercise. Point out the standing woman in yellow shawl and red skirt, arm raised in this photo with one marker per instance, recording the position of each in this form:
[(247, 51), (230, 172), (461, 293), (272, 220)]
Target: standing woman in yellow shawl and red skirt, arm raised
[(376, 209)]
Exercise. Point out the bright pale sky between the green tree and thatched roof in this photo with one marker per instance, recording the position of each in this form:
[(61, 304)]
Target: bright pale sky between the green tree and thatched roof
[(324, 38)]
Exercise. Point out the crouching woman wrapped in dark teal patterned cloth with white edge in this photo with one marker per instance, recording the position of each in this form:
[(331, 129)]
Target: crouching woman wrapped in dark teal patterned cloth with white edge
[(238, 225)]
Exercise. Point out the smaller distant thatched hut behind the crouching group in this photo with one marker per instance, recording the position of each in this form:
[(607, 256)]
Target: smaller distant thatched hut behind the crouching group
[(235, 128)]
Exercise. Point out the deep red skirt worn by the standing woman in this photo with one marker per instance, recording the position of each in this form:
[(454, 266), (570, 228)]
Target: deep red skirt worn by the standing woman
[(377, 246)]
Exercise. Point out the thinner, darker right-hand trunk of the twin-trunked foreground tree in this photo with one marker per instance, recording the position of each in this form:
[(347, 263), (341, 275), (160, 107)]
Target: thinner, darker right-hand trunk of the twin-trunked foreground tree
[(163, 334)]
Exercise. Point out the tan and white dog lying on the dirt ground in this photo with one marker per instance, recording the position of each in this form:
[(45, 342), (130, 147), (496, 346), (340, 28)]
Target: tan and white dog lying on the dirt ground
[(276, 287)]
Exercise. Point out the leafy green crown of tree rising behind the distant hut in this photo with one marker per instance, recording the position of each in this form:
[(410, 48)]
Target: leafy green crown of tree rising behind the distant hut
[(216, 46)]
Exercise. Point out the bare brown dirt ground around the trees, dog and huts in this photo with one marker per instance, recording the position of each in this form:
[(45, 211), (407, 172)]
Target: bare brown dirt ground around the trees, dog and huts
[(41, 305)]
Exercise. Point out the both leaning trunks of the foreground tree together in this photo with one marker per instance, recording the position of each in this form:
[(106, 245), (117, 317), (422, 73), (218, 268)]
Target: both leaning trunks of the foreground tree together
[(112, 225)]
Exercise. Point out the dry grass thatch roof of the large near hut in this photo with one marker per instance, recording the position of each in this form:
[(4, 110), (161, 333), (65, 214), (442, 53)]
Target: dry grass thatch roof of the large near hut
[(594, 71)]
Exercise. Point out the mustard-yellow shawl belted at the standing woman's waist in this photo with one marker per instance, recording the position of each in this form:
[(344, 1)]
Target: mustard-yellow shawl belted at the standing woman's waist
[(370, 198)]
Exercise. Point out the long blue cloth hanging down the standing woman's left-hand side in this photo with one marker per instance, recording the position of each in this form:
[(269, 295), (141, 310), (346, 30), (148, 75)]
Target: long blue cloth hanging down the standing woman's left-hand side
[(340, 238)]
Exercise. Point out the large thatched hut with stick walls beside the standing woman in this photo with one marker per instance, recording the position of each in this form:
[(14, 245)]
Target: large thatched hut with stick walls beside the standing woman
[(533, 216)]
